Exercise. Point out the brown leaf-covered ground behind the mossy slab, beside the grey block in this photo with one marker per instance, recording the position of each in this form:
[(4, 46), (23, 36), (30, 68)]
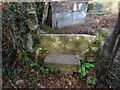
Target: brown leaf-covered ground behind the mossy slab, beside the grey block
[(92, 24)]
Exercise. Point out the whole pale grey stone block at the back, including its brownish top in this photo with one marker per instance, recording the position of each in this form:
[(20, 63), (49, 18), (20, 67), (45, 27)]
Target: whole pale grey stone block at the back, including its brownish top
[(68, 13)]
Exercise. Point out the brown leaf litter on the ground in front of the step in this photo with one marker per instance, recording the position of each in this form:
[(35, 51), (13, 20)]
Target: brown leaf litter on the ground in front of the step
[(50, 81)]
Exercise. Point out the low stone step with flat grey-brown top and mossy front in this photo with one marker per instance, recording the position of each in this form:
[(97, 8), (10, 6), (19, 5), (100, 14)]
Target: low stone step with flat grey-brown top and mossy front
[(64, 63)]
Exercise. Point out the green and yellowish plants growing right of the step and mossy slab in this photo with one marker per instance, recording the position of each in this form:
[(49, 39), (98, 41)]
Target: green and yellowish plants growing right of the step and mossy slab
[(93, 51)]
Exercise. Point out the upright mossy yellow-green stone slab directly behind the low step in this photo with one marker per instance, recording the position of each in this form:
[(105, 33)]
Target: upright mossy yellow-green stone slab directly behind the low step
[(76, 43)]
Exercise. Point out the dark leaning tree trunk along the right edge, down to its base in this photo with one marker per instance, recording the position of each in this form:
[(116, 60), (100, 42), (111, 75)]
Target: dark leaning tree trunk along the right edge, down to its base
[(113, 46)]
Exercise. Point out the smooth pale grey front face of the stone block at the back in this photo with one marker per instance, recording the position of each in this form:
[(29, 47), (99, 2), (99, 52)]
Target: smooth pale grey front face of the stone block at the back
[(68, 18)]
